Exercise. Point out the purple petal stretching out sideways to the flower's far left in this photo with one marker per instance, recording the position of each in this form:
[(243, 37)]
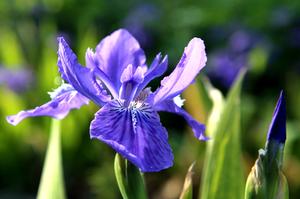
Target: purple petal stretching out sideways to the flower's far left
[(63, 100)]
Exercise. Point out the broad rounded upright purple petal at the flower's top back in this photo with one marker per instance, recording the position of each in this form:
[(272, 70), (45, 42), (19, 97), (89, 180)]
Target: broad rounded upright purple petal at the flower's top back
[(115, 52)]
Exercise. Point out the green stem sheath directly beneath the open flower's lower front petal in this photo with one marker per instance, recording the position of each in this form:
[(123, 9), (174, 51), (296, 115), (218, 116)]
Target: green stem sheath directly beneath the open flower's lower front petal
[(129, 178)]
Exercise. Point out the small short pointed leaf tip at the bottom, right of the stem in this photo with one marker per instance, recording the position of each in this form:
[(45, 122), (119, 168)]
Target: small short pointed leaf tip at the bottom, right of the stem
[(187, 192)]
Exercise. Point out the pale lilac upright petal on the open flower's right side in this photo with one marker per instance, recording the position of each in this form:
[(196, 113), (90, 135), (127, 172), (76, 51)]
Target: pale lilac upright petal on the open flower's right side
[(192, 61)]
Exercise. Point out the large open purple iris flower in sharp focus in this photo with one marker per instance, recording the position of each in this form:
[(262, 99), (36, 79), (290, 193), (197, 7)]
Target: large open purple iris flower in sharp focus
[(115, 78)]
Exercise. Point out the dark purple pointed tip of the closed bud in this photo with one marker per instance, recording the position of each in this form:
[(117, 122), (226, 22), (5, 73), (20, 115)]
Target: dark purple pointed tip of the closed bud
[(277, 129)]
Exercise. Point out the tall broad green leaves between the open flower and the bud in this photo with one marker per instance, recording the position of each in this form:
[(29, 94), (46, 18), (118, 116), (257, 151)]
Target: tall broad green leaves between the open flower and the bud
[(223, 168)]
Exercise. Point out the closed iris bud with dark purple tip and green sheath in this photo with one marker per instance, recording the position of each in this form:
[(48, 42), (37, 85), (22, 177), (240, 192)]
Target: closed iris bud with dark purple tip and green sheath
[(266, 180)]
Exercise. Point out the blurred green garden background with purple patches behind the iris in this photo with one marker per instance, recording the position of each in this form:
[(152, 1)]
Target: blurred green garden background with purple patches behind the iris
[(262, 35)]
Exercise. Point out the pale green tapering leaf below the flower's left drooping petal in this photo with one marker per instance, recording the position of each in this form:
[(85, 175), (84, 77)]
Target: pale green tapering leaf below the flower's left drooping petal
[(52, 182)]
